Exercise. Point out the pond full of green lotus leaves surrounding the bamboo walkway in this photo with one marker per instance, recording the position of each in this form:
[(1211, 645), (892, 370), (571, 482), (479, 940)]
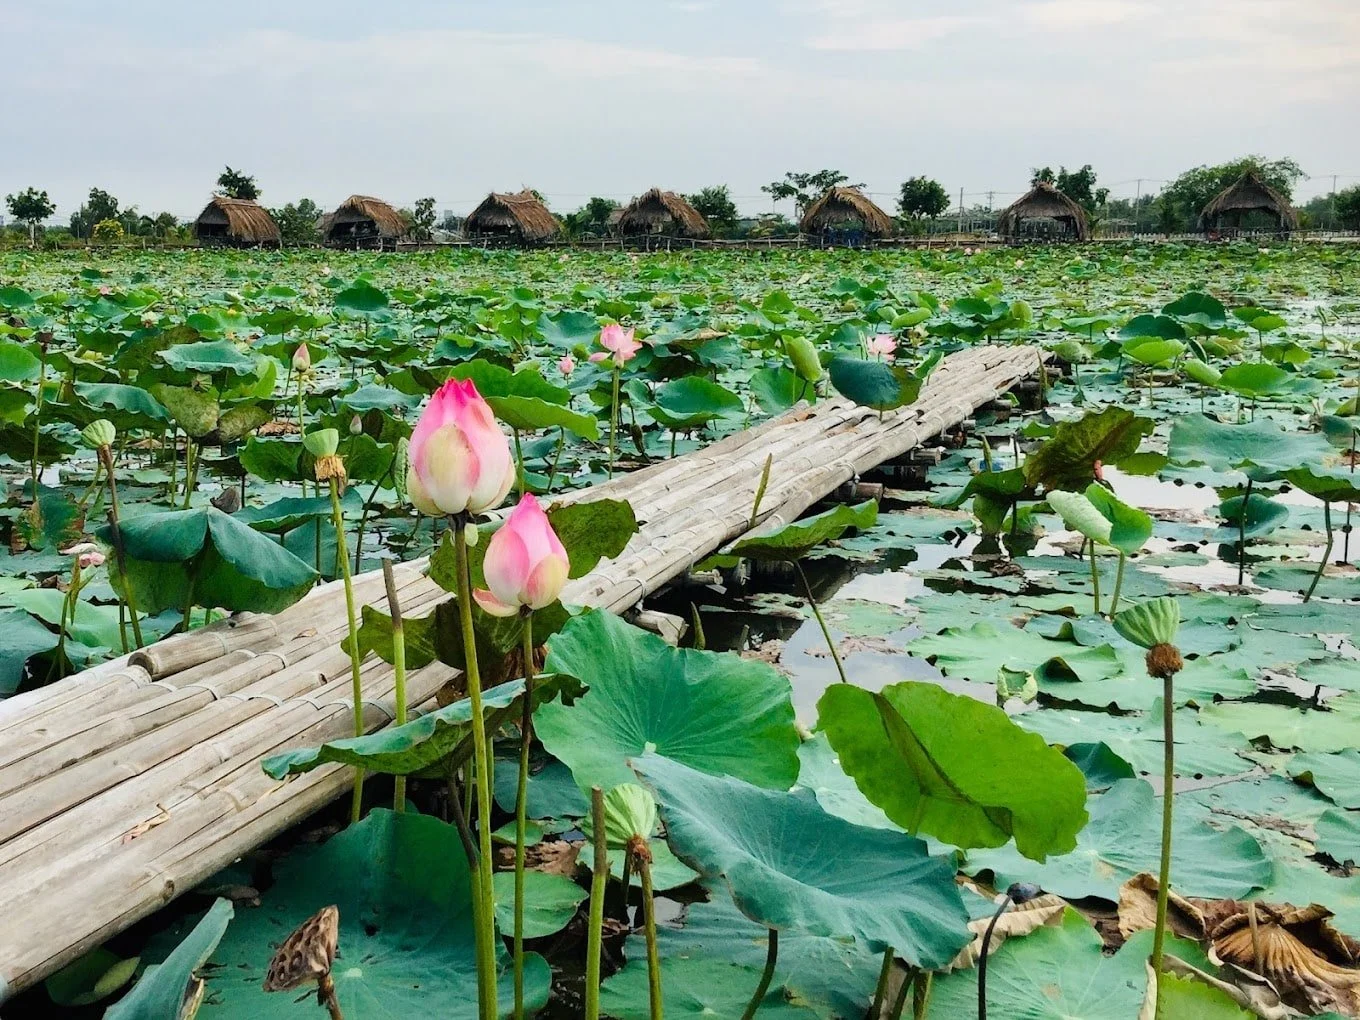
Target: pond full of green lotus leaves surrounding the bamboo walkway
[(897, 730)]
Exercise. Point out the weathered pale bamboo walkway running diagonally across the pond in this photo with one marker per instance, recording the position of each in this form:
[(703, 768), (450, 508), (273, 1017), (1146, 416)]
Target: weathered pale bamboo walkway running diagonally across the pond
[(129, 784)]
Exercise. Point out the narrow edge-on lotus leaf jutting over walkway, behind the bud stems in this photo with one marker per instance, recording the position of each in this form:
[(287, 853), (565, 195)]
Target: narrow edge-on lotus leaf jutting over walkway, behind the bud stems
[(425, 742)]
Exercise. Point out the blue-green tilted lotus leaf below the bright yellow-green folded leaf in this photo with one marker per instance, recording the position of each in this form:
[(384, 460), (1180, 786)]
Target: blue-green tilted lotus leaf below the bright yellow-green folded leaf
[(791, 866)]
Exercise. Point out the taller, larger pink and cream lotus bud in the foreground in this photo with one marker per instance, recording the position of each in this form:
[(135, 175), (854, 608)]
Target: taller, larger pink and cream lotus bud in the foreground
[(460, 459)]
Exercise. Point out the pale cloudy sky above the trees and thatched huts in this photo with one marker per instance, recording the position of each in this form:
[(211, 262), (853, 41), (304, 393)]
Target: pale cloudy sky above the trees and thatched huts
[(454, 100)]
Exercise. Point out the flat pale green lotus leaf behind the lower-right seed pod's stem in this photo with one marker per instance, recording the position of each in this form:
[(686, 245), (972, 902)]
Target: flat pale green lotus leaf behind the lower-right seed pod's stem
[(1124, 838)]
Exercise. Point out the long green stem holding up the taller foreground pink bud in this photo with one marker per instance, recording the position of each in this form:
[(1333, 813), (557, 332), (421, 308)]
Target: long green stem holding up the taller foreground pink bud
[(481, 758)]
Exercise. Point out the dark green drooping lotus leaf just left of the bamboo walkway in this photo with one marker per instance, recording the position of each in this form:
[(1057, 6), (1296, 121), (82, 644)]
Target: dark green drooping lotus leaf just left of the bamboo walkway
[(207, 558)]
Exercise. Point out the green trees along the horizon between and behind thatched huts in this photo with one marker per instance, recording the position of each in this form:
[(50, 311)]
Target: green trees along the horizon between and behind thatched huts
[(921, 203)]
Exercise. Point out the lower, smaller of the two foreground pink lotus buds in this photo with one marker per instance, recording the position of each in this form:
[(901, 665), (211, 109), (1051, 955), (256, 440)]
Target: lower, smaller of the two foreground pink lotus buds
[(526, 565)]
